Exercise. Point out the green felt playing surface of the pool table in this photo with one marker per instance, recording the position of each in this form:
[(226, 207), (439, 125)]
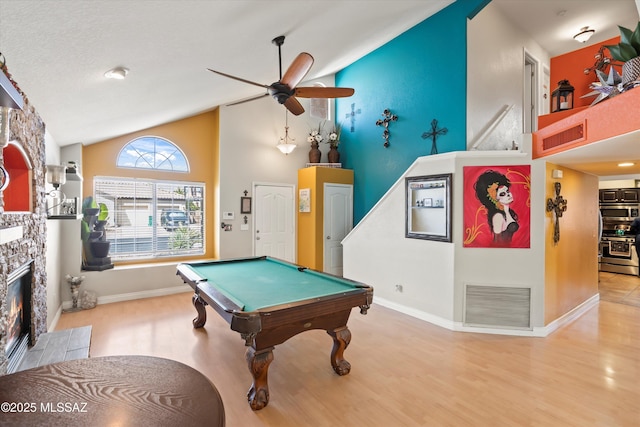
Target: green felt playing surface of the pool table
[(258, 283)]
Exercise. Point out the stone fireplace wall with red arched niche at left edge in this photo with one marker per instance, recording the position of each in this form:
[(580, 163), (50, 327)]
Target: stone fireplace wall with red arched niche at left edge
[(23, 231)]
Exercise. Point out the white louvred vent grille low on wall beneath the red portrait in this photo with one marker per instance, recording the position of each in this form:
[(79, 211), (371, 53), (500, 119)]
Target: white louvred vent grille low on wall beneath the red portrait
[(497, 306)]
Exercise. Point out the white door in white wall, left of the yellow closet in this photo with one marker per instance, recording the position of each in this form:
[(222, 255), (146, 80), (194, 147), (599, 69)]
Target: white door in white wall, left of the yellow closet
[(274, 233)]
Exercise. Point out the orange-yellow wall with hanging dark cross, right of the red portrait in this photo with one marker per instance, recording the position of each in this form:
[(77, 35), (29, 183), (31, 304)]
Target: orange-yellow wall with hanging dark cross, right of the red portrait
[(571, 265)]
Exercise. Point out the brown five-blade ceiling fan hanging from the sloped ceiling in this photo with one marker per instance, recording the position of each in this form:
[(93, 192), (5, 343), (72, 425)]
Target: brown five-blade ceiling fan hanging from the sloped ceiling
[(285, 91)]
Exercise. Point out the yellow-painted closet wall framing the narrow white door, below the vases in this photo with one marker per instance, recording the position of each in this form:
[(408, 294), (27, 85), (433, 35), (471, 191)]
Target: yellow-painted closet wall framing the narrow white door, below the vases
[(310, 224)]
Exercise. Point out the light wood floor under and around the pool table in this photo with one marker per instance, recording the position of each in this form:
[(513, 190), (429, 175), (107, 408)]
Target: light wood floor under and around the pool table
[(405, 372)]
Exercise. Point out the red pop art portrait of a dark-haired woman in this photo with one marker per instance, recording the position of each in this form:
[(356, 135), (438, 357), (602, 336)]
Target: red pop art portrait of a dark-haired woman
[(497, 202)]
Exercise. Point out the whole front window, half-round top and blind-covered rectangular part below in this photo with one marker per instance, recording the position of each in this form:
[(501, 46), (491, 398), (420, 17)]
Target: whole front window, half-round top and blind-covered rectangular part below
[(152, 218)]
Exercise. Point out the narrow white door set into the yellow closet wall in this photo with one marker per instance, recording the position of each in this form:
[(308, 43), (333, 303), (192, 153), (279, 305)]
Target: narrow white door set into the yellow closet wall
[(338, 222)]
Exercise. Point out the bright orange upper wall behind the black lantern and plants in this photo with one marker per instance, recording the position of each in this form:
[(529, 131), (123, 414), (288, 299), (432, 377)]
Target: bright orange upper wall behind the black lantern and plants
[(570, 66)]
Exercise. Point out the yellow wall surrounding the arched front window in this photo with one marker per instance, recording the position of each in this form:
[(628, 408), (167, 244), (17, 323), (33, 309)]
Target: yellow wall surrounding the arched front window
[(197, 137)]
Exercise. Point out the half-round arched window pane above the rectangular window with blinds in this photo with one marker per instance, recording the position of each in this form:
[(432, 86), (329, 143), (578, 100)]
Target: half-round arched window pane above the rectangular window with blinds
[(152, 152)]
